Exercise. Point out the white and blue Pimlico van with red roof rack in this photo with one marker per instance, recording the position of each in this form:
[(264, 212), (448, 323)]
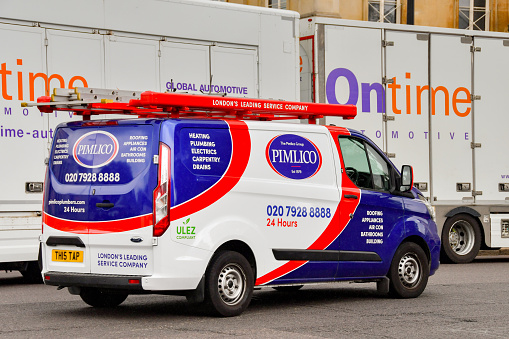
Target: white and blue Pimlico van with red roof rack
[(212, 208)]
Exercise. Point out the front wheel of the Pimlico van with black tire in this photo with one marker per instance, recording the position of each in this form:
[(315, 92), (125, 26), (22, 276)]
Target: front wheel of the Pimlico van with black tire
[(409, 271)]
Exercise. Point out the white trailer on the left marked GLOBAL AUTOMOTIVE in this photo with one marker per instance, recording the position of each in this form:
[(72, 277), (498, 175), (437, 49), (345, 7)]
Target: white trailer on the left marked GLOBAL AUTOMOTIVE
[(189, 46)]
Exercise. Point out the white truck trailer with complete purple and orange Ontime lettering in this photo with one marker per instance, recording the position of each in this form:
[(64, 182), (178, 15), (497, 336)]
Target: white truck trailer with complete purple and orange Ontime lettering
[(454, 134)]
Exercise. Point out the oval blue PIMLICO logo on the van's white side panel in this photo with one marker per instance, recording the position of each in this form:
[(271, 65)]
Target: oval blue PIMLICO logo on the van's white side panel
[(293, 156)]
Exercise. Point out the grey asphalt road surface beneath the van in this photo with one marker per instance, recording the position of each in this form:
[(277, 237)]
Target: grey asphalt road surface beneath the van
[(461, 301)]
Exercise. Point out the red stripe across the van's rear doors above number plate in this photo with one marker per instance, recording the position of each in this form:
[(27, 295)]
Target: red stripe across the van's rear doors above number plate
[(97, 227)]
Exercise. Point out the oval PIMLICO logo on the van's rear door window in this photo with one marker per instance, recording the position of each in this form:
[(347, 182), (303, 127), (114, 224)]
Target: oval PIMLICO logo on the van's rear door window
[(95, 149)]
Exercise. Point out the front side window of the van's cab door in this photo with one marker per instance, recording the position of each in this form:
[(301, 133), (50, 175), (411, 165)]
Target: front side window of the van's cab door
[(364, 165)]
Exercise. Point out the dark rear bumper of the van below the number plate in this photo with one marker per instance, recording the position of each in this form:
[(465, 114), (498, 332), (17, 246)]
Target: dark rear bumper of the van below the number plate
[(123, 282)]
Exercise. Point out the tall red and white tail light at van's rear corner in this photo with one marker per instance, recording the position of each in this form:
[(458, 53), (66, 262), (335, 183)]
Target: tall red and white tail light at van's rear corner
[(161, 193)]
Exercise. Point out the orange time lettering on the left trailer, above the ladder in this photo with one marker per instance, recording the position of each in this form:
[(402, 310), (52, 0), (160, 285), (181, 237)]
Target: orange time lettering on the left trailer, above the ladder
[(6, 75)]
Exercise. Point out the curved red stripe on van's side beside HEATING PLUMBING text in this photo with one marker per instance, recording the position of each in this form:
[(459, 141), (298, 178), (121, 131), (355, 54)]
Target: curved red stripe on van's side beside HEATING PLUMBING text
[(241, 142)]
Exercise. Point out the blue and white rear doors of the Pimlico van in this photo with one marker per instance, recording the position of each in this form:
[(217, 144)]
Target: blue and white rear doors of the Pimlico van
[(99, 197)]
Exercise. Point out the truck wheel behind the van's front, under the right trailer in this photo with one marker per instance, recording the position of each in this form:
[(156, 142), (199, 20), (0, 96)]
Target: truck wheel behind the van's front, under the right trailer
[(461, 239)]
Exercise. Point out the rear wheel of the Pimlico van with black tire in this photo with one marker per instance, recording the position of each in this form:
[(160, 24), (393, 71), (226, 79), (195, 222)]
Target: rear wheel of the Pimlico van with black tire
[(228, 284)]
